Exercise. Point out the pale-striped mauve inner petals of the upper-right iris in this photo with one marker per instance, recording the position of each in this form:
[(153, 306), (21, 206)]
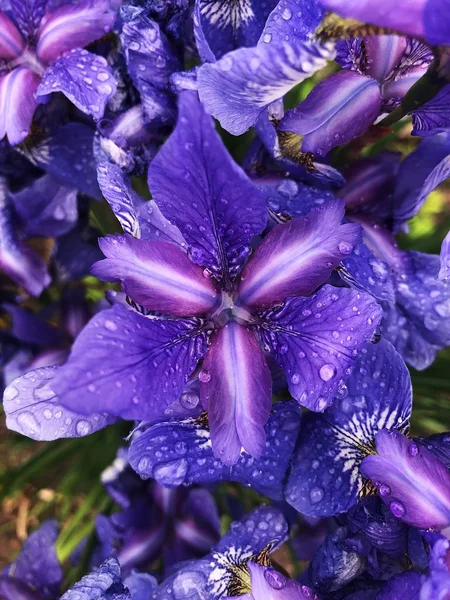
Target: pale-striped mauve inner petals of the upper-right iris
[(377, 73)]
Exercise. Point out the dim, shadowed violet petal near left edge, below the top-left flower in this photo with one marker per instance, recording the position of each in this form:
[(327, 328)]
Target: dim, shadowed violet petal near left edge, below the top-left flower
[(46, 208)]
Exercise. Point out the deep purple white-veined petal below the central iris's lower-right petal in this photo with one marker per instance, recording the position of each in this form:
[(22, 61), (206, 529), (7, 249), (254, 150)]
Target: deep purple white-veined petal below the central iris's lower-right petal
[(325, 477)]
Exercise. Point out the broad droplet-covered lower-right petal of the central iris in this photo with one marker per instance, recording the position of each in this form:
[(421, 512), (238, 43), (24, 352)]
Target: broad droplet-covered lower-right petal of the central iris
[(316, 340)]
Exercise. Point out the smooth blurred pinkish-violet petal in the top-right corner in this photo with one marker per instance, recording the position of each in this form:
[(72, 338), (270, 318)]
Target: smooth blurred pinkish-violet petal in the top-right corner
[(424, 19)]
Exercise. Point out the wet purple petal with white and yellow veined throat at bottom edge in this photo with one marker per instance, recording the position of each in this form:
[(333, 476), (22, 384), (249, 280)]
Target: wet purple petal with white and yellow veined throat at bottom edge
[(225, 571)]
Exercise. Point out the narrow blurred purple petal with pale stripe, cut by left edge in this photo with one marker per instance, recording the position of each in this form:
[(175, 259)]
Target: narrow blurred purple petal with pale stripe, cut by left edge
[(17, 260)]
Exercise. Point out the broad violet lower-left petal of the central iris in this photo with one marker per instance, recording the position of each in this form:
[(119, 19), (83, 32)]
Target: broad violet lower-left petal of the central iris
[(128, 365)]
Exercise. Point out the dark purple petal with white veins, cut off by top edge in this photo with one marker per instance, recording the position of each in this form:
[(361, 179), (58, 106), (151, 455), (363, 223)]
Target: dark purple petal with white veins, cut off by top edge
[(224, 26)]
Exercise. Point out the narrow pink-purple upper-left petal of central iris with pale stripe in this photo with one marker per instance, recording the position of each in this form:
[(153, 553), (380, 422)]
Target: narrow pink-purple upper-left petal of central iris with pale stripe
[(156, 275)]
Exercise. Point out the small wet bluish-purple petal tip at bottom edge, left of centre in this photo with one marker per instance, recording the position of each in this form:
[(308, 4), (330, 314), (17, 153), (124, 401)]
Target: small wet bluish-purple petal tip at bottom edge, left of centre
[(103, 583)]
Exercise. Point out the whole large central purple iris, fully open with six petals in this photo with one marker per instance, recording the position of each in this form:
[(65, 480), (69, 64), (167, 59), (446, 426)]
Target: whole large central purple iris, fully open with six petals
[(218, 304)]
